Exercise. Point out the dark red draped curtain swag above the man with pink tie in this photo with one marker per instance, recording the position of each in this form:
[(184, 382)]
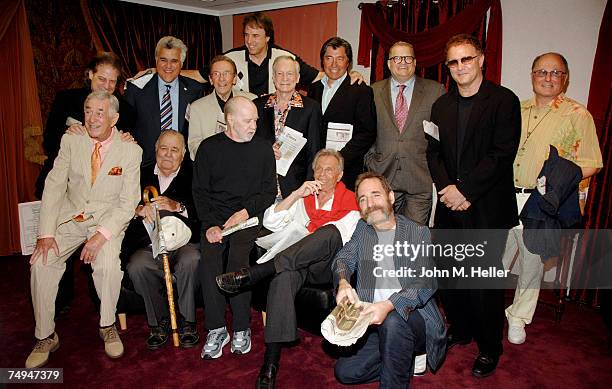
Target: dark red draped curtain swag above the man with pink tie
[(430, 44)]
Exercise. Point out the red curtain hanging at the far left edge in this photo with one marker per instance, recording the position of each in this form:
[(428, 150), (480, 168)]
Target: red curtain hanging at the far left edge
[(20, 123)]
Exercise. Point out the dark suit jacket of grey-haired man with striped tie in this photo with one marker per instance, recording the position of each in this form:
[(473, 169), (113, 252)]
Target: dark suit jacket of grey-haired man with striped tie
[(145, 105)]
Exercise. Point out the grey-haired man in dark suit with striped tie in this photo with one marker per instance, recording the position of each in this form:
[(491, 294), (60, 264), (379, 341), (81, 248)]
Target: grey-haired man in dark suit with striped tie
[(163, 101)]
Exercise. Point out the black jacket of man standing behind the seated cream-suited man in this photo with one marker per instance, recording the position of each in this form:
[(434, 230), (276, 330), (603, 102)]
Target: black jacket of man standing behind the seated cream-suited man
[(69, 103)]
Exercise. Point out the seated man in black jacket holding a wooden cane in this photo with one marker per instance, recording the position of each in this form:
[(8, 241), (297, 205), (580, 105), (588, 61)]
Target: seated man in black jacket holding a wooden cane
[(171, 175)]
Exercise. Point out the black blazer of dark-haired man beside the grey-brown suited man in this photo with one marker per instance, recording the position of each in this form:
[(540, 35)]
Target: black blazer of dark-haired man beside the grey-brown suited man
[(352, 104)]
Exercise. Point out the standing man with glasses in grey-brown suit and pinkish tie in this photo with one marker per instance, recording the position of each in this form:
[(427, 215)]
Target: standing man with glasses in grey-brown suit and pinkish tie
[(403, 101)]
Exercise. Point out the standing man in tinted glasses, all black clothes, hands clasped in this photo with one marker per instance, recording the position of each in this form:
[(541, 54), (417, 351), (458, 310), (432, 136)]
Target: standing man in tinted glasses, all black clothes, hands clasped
[(471, 164)]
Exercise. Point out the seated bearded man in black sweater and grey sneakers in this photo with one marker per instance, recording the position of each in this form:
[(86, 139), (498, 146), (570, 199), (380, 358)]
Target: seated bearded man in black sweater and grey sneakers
[(234, 179)]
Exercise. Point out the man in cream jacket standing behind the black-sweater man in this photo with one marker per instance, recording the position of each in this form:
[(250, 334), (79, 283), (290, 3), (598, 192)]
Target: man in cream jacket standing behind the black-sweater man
[(206, 116)]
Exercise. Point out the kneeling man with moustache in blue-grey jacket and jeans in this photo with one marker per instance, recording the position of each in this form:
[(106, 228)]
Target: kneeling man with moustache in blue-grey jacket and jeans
[(405, 317)]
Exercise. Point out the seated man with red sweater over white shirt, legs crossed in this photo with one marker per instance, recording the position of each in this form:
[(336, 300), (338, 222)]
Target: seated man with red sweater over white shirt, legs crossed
[(325, 214)]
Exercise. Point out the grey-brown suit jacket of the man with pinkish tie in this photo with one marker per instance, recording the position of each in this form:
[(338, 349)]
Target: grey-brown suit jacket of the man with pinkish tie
[(401, 157)]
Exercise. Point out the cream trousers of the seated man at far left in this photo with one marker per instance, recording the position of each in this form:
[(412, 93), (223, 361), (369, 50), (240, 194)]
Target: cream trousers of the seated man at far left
[(44, 279)]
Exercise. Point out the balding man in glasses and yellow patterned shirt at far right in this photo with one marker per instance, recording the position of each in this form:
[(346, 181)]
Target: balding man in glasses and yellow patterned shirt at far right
[(548, 118)]
